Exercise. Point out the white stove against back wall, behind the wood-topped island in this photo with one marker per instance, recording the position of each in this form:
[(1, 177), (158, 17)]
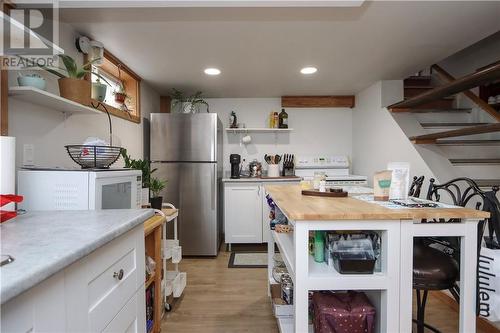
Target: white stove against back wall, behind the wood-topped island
[(335, 168)]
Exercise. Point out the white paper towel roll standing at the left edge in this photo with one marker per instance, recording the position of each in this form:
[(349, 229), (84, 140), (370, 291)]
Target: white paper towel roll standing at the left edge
[(8, 167)]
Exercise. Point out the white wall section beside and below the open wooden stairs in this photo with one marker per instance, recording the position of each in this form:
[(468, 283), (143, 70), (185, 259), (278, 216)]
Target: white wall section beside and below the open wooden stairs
[(377, 138)]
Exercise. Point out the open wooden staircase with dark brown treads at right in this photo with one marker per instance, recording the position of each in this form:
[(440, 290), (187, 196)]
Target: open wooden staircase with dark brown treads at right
[(435, 96)]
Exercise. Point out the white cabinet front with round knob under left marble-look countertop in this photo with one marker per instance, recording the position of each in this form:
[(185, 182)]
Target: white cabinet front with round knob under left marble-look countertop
[(103, 291)]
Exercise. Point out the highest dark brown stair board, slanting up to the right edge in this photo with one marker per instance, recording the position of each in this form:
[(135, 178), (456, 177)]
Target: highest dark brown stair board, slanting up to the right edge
[(464, 83)]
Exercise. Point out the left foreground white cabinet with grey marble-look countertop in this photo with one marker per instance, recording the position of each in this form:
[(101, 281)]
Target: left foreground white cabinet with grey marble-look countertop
[(73, 271)]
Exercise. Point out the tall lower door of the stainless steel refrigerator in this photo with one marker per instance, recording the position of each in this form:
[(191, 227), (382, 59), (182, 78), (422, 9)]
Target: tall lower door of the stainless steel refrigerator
[(192, 187)]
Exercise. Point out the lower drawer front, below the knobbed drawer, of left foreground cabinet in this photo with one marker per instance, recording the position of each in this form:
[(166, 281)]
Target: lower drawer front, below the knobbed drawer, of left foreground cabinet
[(130, 317)]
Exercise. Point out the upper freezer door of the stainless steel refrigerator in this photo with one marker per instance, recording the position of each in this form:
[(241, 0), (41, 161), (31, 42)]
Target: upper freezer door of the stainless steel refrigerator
[(184, 137)]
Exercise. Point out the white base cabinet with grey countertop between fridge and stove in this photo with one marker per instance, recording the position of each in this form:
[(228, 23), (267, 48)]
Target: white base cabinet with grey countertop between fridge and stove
[(246, 212)]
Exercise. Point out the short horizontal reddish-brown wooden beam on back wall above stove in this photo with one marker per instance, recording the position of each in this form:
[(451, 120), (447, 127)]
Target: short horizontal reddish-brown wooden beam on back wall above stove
[(317, 101)]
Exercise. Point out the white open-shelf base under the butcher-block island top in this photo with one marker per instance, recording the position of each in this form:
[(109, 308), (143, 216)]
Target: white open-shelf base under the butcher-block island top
[(309, 275)]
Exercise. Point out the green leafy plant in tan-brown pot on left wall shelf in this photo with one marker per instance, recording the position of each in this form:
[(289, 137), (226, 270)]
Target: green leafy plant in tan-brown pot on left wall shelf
[(72, 83)]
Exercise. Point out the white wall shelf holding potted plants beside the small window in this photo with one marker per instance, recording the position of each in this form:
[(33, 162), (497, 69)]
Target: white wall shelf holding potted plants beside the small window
[(49, 100)]
